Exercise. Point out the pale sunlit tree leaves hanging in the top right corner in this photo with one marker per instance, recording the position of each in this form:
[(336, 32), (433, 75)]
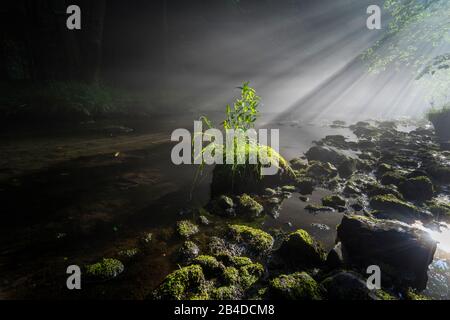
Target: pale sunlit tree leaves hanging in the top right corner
[(418, 30)]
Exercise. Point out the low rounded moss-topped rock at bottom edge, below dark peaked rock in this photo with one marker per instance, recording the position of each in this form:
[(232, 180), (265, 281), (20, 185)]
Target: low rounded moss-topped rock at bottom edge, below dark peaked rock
[(296, 286)]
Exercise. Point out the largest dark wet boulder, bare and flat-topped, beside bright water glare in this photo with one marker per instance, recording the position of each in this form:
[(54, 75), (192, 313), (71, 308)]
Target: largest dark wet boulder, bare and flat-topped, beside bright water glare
[(402, 252)]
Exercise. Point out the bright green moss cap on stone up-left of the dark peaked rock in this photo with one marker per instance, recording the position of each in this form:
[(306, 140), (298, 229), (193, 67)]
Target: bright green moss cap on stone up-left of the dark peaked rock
[(257, 240)]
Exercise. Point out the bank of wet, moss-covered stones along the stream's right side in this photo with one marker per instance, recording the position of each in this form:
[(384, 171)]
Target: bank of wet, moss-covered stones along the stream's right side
[(383, 181)]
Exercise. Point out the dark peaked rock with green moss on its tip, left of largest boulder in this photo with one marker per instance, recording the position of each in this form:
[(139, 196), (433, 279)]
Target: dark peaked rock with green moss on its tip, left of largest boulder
[(301, 249)]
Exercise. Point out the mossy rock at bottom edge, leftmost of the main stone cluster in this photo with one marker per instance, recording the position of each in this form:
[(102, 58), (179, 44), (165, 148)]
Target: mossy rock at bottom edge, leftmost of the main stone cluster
[(180, 282)]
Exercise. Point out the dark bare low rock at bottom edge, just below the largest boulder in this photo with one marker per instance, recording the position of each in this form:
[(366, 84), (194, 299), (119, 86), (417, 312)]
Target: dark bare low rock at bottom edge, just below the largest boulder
[(348, 285)]
